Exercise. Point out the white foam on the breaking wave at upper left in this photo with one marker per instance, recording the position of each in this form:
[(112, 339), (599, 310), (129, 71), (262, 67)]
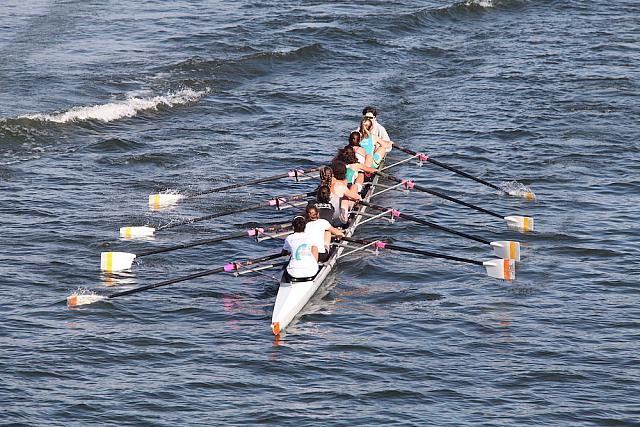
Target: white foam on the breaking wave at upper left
[(118, 110)]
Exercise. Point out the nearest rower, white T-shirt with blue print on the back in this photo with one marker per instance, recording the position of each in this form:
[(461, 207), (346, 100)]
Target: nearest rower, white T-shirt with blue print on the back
[(303, 262)]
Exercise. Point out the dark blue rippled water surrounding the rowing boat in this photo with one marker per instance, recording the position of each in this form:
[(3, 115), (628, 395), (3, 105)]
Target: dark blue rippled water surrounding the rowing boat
[(102, 103)]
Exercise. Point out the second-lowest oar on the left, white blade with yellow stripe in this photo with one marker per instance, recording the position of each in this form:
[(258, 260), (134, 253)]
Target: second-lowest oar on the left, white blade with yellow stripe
[(118, 261)]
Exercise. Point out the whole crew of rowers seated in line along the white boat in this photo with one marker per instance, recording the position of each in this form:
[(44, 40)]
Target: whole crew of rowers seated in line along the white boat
[(310, 242)]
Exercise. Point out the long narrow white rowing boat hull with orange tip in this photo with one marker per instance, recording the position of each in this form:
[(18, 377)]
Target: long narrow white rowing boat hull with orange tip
[(293, 296)]
